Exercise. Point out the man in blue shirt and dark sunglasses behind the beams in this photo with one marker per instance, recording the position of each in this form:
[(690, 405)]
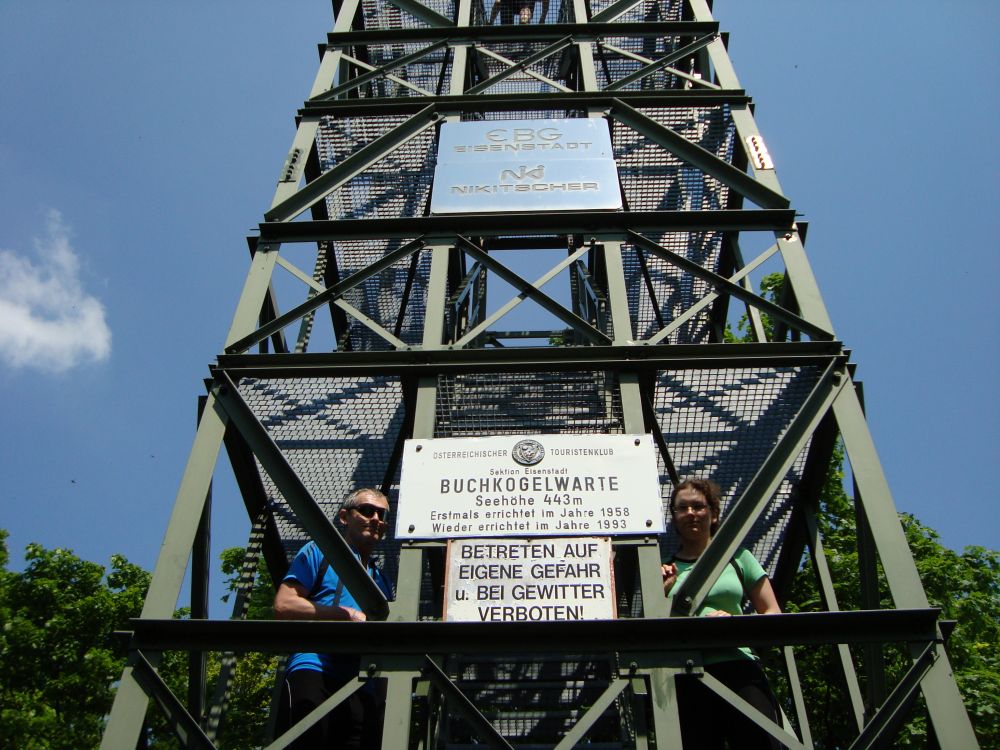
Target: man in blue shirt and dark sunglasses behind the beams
[(313, 591)]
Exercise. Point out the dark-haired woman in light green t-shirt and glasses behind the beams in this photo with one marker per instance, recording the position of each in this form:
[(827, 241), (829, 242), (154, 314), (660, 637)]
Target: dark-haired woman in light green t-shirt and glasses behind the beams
[(708, 721)]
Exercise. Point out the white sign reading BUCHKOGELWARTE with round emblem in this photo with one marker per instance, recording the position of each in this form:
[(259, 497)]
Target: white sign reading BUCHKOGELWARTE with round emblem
[(521, 485)]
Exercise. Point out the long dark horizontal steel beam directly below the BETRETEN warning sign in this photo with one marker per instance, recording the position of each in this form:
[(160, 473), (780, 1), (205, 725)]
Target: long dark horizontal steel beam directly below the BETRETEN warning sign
[(626, 636)]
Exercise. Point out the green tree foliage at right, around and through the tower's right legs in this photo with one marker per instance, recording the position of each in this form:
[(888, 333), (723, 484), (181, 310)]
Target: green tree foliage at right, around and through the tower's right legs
[(966, 586)]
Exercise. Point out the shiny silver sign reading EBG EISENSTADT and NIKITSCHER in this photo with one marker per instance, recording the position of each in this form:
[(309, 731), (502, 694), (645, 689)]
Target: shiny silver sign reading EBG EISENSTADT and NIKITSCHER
[(525, 165)]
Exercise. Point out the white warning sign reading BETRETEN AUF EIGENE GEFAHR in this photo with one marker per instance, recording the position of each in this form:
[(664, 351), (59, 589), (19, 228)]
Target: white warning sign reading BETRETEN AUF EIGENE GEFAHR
[(529, 580)]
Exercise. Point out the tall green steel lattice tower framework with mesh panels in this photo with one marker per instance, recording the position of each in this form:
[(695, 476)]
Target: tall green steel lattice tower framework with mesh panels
[(366, 320)]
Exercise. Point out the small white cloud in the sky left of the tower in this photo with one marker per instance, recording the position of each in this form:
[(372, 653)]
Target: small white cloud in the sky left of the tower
[(47, 320)]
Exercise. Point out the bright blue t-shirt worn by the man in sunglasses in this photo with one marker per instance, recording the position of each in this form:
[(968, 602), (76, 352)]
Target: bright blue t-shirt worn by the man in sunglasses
[(331, 592)]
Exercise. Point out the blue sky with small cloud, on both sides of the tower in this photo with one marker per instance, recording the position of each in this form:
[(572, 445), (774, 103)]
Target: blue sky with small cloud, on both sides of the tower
[(140, 142)]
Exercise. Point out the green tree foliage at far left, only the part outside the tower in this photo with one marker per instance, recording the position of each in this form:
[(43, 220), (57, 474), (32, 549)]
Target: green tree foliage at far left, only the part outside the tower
[(58, 656)]
